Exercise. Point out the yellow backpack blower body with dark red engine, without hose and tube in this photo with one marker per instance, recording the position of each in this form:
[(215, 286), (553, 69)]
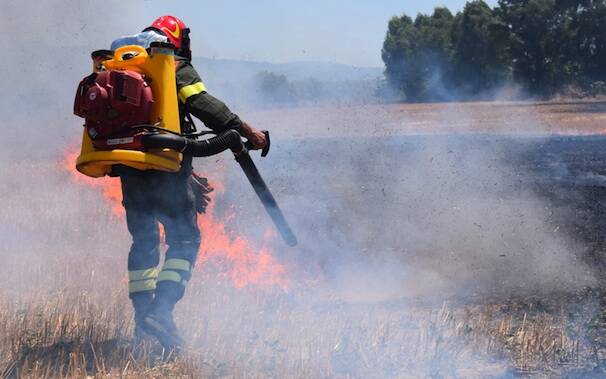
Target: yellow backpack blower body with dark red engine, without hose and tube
[(135, 95)]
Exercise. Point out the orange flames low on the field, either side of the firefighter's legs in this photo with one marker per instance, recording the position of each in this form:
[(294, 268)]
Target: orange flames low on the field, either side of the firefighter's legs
[(236, 258)]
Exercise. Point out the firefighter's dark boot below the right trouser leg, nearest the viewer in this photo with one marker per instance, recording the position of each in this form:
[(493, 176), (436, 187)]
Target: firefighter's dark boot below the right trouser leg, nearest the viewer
[(159, 322)]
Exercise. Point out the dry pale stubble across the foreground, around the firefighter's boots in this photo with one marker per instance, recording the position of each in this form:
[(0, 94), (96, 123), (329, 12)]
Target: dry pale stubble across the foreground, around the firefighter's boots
[(263, 333)]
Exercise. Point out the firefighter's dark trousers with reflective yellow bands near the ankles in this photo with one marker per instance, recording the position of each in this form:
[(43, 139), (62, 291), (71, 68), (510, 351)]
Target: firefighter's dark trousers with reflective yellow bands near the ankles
[(150, 198)]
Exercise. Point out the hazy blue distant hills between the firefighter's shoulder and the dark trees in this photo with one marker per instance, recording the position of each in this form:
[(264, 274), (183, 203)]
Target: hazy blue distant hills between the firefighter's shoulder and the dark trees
[(235, 70)]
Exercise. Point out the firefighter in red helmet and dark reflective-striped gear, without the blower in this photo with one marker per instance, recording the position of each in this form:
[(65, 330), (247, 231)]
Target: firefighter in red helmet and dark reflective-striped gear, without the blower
[(172, 199)]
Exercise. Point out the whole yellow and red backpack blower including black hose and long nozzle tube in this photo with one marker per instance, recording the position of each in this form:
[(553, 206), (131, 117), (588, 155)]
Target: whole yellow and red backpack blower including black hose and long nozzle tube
[(118, 102)]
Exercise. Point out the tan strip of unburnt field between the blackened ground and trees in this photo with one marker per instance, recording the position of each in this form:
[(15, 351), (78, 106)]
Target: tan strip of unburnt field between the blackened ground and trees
[(574, 117)]
